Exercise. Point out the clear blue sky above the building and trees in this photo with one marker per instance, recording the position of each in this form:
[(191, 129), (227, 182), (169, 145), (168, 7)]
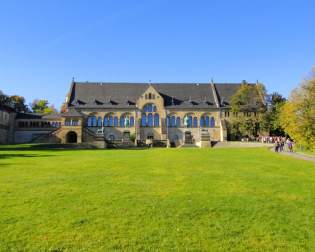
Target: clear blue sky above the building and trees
[(43, 44)]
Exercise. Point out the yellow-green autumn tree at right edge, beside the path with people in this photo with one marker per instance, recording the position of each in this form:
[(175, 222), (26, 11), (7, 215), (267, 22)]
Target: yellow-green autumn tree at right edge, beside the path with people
[(298, 113)]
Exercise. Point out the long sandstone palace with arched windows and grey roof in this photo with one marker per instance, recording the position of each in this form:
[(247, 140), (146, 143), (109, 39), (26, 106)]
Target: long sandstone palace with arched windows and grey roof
[(105, 114)]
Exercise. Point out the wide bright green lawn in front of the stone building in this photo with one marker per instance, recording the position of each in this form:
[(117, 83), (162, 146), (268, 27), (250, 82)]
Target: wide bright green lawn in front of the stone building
[(160, 199)]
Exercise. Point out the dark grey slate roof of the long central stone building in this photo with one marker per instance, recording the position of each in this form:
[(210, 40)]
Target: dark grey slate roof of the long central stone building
[(125, 95)]
